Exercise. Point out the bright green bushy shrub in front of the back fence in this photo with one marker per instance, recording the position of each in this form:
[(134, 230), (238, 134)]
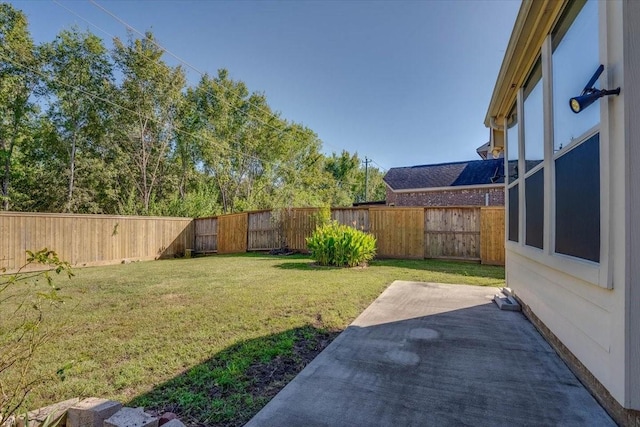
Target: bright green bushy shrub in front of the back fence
[(340, 245)]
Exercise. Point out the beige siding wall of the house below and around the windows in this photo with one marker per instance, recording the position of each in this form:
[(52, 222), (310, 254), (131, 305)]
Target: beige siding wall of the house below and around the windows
[(589, 307)]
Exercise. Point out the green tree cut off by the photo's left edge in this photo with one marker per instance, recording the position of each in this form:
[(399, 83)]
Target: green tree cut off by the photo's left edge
[(17, 83)]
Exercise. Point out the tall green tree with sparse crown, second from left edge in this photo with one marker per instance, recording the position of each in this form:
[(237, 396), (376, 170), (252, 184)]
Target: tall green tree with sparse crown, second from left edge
[(80, 84)]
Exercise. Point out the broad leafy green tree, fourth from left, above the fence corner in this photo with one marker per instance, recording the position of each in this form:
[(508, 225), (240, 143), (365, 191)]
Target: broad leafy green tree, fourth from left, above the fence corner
[(238, 140)]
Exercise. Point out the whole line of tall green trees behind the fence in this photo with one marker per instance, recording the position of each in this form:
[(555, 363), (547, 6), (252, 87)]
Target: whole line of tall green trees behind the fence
[(85, 129)]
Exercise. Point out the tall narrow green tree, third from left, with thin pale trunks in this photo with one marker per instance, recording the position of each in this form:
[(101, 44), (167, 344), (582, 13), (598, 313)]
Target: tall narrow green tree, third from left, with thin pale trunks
[(151, 93)]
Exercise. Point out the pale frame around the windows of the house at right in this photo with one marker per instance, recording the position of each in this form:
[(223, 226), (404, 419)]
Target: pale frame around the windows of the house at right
[(595, 273)]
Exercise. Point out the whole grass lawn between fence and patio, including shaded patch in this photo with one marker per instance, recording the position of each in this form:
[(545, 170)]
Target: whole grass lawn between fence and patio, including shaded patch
[(211, 338)]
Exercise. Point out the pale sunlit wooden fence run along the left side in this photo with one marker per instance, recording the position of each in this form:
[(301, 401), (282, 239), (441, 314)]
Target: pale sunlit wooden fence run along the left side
[(92, 239)]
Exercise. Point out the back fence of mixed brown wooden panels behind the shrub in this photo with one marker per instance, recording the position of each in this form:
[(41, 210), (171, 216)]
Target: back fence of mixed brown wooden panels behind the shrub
[(469, 232)]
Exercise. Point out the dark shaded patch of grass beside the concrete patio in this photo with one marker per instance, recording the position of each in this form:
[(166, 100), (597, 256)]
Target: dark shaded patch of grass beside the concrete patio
[(232, 386)]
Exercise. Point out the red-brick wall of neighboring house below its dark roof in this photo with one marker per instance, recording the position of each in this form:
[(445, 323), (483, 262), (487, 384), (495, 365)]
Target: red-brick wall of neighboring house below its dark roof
[(468, 197)]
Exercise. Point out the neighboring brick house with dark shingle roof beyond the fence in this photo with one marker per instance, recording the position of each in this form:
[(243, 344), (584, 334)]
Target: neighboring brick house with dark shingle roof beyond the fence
[(471, 183)]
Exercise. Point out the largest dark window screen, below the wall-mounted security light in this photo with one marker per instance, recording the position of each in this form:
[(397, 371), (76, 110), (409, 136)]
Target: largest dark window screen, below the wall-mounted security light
[(578, 201)]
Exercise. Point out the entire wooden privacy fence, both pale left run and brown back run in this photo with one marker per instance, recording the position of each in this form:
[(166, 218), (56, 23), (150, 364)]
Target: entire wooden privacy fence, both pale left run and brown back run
[(469, 233)]
